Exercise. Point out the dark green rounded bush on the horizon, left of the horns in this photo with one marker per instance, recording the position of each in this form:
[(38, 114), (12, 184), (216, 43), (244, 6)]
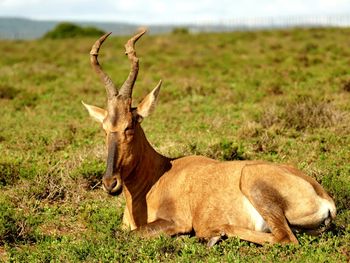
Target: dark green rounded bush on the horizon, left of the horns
[(69, 30)]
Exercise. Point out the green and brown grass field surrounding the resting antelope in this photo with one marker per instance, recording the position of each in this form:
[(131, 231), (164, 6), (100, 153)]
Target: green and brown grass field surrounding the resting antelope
[(282, 96)]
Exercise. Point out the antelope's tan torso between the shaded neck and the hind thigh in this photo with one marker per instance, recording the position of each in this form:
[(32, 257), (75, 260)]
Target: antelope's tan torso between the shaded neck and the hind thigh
[(199, 192)]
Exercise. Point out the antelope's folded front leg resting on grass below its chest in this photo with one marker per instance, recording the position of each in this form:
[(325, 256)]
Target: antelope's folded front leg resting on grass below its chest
[(158, 227)]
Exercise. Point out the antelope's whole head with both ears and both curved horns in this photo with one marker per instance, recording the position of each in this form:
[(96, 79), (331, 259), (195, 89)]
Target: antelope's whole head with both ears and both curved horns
[(120, 121)]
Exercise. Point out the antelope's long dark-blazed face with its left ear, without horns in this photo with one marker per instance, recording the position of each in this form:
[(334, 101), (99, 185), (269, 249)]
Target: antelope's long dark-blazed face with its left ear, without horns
[(121, 124)]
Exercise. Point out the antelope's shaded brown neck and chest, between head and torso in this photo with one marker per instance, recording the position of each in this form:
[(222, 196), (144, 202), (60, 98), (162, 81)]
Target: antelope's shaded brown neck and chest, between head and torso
[(149, 168)]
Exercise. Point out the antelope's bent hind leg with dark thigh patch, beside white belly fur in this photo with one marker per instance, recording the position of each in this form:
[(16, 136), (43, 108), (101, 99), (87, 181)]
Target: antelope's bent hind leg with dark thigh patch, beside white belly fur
[(270, 205)]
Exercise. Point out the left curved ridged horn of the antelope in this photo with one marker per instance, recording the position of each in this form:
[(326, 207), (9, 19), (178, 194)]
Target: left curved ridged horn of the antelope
[(110, 88)]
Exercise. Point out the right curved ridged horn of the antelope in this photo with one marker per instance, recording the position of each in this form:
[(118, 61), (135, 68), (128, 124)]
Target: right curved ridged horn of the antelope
[(126, 89)]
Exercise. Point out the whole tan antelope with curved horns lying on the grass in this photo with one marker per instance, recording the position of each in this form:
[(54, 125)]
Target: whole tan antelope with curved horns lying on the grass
[(254, 200)]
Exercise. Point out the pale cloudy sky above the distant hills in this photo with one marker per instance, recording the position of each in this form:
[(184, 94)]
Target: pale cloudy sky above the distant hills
[(168, 11)]
